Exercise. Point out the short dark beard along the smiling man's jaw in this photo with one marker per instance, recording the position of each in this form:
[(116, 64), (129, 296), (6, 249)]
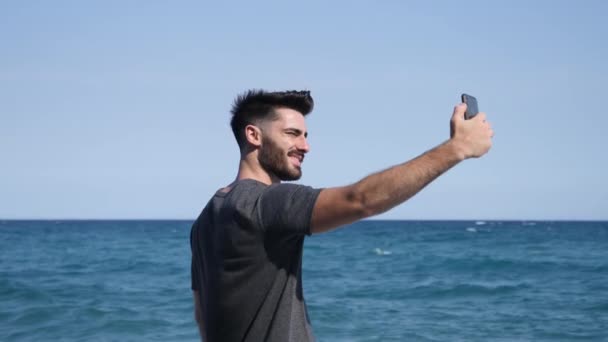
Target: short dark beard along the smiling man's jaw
[(274, 161)]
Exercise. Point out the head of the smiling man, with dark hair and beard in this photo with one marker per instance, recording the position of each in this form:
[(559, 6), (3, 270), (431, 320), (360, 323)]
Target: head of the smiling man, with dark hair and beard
[(272, 123)]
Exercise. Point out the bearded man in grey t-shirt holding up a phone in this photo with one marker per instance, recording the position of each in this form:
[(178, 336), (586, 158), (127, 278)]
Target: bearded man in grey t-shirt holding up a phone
[(247, 242)]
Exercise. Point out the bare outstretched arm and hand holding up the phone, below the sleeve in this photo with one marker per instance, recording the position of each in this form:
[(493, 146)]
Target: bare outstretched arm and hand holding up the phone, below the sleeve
[(384, 190)]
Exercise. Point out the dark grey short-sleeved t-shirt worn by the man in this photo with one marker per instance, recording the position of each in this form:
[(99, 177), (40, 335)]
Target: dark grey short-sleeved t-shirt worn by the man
[(247, 262)]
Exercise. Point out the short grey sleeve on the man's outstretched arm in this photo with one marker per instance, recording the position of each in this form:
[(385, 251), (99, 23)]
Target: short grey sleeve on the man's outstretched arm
[(287, 208)]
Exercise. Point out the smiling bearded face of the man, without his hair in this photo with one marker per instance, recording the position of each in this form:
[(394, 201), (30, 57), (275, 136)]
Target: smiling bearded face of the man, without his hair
[(284, 145)]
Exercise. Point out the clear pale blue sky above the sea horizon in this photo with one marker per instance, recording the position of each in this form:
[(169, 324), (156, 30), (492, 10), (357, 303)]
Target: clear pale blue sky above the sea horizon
[(120, 109)]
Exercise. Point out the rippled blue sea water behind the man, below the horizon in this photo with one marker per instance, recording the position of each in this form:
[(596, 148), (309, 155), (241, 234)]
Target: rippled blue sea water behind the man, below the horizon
[(372, 281)]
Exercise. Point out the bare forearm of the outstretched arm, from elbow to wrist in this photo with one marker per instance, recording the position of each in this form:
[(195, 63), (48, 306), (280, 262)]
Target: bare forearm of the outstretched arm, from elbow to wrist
[(384, 190)]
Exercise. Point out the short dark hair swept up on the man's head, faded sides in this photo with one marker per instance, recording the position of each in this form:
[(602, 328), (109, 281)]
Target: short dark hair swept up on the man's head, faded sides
[(256, 105)]
